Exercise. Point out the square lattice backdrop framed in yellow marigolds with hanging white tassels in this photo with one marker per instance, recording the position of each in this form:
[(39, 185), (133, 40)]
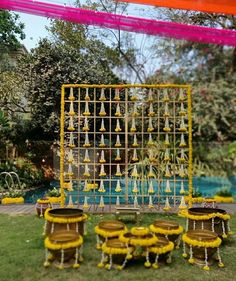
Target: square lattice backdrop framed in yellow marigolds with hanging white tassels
[(126, 144)]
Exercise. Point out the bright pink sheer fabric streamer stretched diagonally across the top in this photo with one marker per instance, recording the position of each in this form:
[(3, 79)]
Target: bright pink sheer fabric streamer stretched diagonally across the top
[(127, 23)]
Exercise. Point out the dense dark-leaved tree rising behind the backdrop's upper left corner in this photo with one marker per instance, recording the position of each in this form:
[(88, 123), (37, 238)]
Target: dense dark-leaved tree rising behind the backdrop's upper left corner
[(52, 64)]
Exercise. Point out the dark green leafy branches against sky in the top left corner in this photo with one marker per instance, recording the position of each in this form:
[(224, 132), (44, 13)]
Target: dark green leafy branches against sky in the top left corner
[(11, 31)]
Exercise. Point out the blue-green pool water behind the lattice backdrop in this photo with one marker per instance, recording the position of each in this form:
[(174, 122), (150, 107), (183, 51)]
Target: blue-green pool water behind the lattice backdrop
[(208, 186)]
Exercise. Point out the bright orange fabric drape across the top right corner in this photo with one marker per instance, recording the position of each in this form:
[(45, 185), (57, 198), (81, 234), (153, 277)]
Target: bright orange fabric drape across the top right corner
[(209, 6)]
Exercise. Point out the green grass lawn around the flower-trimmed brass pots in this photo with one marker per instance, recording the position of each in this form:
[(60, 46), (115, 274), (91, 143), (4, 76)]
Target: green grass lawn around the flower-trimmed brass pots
[(22, 256)]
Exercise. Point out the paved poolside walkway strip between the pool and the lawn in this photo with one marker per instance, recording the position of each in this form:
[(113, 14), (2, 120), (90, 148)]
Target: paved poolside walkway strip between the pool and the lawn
[(24, 209)]
